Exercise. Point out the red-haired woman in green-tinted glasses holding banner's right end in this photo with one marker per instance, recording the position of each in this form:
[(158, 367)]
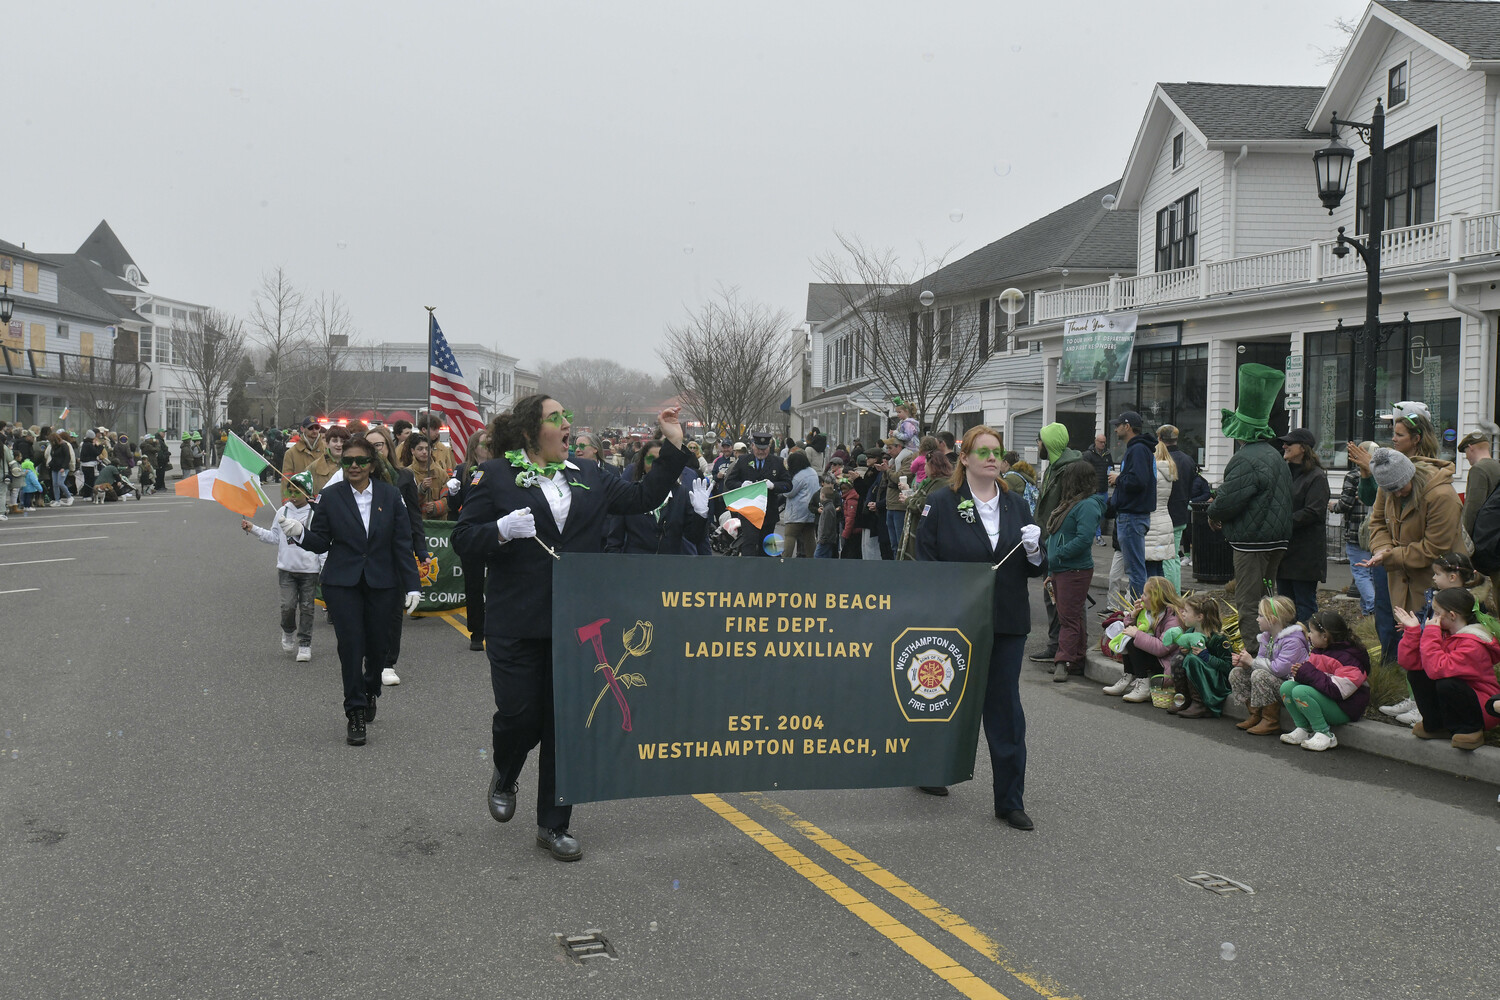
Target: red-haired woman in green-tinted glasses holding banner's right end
[(977, 519)]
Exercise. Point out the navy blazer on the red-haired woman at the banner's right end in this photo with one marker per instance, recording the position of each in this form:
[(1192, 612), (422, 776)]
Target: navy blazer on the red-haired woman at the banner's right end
[(944, 536)]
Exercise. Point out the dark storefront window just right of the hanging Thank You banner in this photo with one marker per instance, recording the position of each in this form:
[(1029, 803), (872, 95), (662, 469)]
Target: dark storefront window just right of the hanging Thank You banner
[(1169, 386)]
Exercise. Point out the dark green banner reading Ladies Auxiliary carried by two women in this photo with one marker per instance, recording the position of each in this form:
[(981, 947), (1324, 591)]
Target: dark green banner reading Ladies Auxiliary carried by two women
[(680, 675)]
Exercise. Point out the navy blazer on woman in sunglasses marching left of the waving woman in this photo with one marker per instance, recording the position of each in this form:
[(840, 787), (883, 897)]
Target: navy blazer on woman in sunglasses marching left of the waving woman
[(386, 557)]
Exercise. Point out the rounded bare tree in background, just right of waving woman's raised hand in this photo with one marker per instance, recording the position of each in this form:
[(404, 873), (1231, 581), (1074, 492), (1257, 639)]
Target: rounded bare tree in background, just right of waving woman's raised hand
[(731, 361)]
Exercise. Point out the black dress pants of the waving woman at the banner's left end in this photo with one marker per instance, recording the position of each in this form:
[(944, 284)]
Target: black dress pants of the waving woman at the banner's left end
[(521, 674)]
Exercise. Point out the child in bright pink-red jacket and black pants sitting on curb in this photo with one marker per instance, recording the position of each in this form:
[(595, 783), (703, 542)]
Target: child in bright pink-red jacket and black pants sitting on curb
[(1451, 665)]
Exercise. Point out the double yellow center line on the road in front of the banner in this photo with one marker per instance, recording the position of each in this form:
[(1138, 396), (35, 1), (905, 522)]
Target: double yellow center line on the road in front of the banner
[(938, 962)]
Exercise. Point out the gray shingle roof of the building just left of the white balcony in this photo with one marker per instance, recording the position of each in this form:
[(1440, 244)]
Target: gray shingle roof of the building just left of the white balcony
[(1081, 236)]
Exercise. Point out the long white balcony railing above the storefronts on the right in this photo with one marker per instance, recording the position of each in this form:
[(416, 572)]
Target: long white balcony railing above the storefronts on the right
[(1429, 244)]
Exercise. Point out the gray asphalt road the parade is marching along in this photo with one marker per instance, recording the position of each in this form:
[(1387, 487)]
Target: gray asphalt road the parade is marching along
[(181, 818)]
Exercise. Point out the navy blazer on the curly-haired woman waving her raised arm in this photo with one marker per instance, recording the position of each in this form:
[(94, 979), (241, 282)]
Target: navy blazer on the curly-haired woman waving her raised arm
[(518, 588)]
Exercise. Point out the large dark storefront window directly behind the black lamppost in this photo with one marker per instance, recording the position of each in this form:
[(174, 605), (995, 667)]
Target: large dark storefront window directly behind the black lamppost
[(1417, 365)]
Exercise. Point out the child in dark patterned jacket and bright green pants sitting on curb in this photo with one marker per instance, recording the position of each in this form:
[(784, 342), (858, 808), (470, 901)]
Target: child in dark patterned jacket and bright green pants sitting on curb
[(1331, 689)]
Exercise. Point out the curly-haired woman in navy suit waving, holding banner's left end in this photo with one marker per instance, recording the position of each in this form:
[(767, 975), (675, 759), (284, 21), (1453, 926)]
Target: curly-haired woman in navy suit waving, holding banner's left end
[(520, 509)]
